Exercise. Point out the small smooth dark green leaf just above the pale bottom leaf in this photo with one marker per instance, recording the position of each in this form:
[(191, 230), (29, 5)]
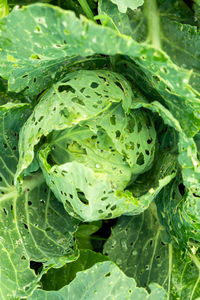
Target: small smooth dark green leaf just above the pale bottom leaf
[(68, 272)]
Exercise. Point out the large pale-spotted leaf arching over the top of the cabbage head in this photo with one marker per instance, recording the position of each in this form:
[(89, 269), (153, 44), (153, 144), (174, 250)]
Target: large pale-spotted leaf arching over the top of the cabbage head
[(31, 61)]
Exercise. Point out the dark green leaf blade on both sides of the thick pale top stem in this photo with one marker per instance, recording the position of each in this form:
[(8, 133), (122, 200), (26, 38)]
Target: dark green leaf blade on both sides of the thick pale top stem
[(179, 40)]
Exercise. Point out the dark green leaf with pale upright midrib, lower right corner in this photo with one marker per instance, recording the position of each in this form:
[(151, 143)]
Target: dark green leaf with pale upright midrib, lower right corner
[(140, 247)]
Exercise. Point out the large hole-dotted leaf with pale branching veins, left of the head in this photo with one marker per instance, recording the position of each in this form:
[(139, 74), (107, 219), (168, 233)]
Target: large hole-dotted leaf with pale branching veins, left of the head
[(33, 226)]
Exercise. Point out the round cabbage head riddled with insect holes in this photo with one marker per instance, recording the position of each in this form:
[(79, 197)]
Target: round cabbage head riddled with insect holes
[(90, 144)]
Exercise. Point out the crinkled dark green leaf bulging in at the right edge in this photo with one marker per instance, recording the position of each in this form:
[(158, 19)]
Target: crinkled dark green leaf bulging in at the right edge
[(179, 212)]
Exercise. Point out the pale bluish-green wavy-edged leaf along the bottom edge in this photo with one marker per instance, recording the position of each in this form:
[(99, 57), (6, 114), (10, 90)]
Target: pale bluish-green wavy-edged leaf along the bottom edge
[(104, 280)]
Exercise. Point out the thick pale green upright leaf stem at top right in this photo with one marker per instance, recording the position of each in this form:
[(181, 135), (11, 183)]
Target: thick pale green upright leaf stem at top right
[(153, 23)]
